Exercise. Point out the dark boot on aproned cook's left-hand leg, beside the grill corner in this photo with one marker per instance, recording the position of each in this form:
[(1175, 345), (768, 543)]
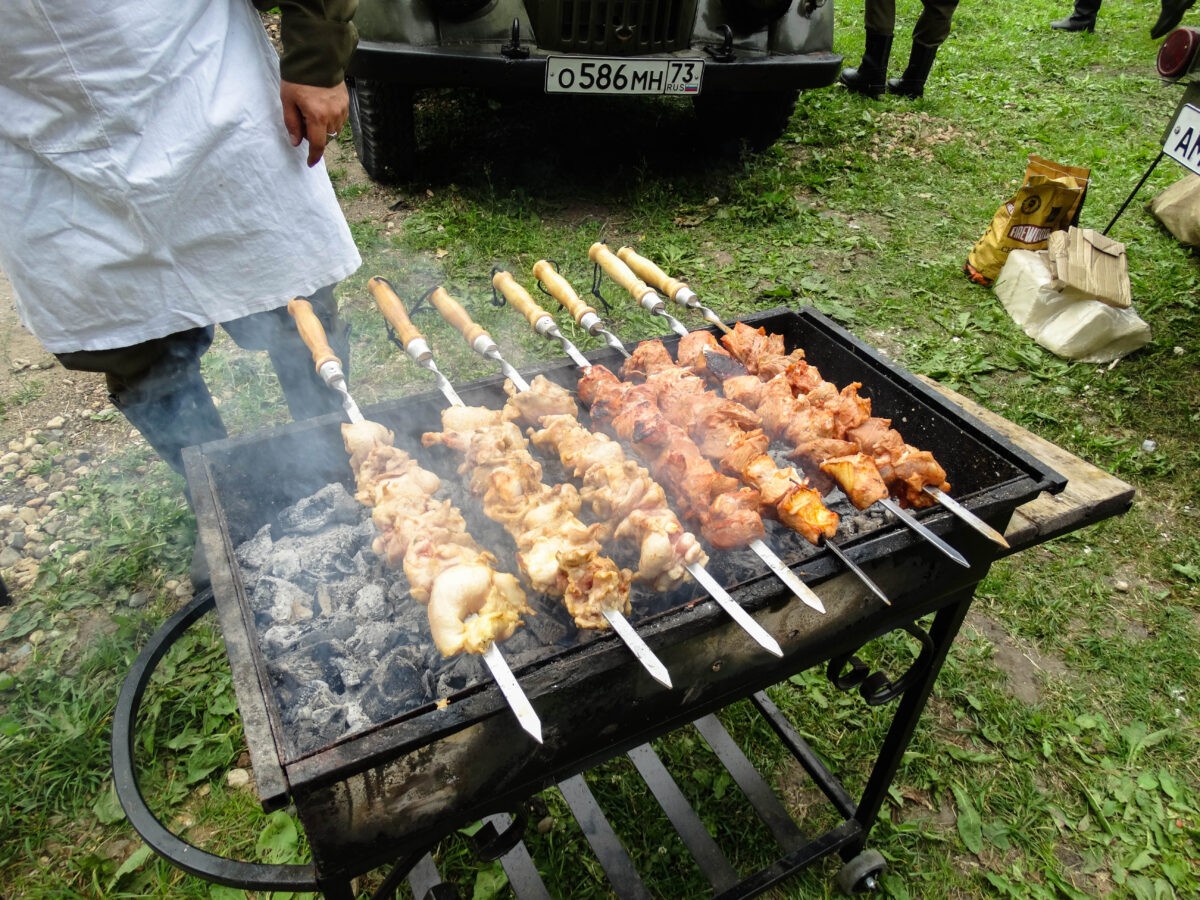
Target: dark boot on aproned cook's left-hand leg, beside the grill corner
[(178, 417)]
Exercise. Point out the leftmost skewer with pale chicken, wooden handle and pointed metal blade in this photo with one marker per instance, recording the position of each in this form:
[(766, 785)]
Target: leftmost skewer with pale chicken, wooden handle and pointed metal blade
[(471, 605)]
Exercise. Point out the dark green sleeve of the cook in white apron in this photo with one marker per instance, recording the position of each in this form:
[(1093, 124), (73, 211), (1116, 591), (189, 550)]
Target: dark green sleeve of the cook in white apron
[(319, 39)]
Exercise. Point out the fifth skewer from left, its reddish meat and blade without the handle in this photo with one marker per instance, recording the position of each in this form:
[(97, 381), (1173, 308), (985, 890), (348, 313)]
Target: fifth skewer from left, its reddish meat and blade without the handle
[(729, 435)]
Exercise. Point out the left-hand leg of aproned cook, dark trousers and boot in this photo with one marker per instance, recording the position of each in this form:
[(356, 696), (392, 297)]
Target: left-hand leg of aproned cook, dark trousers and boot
[(159, 388)]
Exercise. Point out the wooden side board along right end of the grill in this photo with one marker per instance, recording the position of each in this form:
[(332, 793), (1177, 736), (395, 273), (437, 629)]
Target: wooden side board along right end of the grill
[(1091, 494)]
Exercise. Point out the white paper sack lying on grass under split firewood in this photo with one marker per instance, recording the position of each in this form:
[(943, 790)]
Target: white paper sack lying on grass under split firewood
[(1078, 329)]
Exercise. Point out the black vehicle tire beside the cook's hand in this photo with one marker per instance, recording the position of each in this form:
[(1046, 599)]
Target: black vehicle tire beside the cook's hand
[(382, 122)]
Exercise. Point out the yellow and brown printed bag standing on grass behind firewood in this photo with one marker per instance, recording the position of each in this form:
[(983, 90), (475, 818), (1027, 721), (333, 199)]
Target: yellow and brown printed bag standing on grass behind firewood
[(1048, 201)]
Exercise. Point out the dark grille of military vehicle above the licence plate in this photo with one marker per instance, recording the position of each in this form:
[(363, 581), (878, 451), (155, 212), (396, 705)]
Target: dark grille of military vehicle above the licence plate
[(616, 28)]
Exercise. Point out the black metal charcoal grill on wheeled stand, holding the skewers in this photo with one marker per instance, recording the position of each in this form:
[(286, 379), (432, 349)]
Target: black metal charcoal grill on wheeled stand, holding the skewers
[(389, 791)]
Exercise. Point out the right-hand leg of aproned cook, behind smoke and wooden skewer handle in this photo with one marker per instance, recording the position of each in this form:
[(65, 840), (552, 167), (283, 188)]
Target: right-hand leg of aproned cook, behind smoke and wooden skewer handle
[(275, 332)]
